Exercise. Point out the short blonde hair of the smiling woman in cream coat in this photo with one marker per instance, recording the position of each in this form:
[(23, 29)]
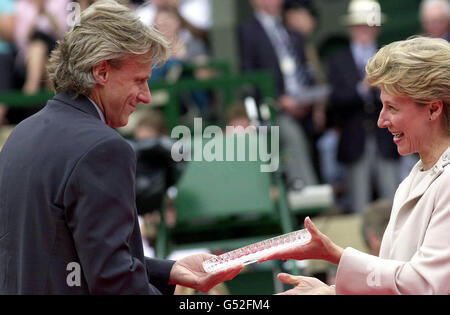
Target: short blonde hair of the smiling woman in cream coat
[(418, 68)]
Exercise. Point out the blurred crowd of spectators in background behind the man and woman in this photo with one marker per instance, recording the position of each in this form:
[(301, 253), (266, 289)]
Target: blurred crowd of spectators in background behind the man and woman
[(327, 115)]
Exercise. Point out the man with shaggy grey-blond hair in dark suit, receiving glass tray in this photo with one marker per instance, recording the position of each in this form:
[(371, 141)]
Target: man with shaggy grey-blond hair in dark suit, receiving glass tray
[(68, 220)]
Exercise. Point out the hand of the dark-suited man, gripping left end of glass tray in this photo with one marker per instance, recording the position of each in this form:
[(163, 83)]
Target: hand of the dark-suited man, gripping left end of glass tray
[(189, 272)]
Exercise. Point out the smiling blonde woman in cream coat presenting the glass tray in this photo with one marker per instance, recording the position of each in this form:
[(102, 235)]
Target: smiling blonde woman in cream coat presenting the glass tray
[(414, 258)]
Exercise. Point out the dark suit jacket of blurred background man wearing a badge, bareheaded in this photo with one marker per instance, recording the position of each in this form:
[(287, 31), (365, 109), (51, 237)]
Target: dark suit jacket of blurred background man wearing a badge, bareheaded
[(258, 53)]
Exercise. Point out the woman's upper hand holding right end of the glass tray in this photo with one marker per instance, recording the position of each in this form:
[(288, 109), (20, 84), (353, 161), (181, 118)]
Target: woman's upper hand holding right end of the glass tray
[(319, 247)]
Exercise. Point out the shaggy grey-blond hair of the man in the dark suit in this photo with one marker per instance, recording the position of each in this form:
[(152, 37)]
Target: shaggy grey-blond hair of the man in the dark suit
[(107, 31)]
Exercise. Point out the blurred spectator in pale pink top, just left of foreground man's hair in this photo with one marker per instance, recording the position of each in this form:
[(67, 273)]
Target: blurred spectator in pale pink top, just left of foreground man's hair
[(42, 23)]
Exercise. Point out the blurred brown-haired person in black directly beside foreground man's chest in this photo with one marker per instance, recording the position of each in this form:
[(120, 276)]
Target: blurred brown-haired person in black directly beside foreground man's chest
[(155, 172)]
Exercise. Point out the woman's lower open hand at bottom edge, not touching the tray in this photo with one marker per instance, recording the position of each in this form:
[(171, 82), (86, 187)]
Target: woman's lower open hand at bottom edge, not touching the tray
[(305, 285)]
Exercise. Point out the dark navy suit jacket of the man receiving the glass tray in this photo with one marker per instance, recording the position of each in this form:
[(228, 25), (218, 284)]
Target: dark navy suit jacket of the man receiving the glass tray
[(67, 195)]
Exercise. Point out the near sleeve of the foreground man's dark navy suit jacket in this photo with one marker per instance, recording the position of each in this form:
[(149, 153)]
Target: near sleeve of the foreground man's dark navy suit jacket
[(100, 211)]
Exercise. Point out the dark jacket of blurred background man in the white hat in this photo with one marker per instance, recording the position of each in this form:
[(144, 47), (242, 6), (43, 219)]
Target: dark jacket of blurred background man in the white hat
[(354, 118)]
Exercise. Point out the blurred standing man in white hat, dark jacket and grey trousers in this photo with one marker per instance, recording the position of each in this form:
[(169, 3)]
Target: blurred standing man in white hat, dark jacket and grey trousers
[(368, 153)]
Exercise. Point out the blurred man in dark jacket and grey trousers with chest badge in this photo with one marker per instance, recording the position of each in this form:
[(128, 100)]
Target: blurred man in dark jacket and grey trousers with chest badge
[(266, 44)]
